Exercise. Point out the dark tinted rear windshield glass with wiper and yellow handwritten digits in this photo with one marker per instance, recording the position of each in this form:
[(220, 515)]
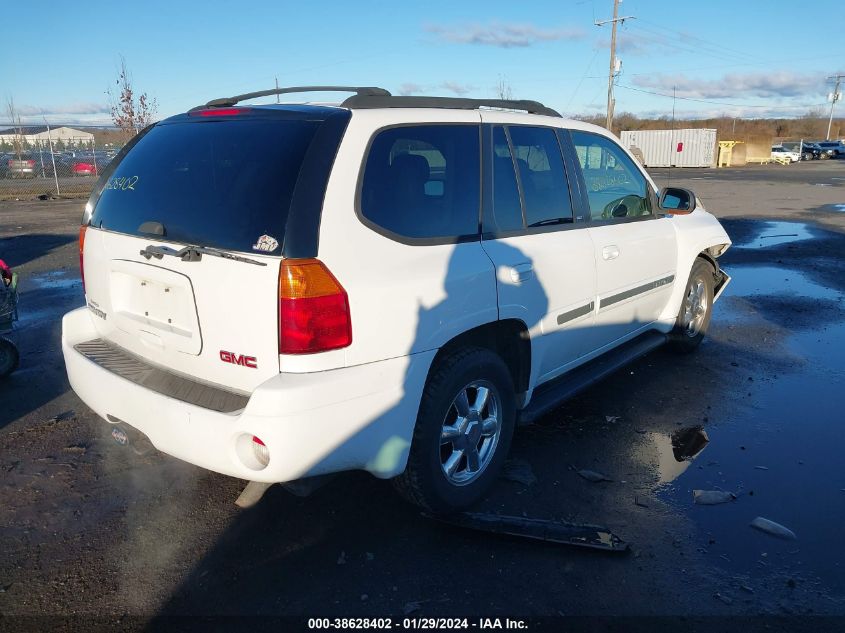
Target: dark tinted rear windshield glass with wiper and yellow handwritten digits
[(222, 183)]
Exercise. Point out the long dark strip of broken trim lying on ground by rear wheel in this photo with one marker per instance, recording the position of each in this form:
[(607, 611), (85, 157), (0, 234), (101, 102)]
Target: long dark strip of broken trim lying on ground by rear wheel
[(579, 535)]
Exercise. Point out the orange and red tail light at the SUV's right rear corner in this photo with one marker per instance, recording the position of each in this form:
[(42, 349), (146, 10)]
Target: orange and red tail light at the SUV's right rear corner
[(313, 309)]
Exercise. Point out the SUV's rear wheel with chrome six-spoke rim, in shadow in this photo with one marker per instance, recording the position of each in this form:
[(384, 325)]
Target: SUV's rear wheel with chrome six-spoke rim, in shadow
[(463, 432)]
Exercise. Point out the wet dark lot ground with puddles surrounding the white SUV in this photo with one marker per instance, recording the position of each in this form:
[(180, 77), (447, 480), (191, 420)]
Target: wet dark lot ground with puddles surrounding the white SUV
[(95, 536)]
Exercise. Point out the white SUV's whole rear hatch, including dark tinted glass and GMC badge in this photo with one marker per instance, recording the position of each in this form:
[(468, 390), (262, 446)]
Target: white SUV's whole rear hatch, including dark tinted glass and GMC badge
[(187, 231)]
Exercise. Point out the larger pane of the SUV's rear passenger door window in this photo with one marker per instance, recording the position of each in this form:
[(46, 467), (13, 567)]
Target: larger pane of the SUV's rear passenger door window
[(541, 173)]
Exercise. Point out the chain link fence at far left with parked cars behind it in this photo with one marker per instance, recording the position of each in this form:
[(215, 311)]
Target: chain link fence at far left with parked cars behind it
[(54, 161)]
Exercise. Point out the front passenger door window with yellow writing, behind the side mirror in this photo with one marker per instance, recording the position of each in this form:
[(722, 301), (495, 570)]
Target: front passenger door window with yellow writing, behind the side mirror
[(615, 187)]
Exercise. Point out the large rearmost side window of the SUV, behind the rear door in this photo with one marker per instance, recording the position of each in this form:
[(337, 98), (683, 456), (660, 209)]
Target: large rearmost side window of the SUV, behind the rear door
[(424, 181)]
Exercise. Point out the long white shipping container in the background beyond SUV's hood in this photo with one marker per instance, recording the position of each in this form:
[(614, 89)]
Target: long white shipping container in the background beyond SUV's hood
[(673, 148)]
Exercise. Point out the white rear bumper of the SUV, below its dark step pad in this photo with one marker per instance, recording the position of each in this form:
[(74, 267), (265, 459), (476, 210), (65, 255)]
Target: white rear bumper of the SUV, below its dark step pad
[(354, 418)]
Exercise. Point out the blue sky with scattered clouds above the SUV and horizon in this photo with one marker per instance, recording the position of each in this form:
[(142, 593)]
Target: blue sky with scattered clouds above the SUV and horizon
[(739, 58)]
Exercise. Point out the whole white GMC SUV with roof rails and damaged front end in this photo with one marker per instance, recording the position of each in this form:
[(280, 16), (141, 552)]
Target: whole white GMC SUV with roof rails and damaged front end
[(391, 284)]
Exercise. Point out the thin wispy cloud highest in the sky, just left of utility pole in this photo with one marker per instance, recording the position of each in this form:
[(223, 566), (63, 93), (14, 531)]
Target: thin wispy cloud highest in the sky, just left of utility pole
[(502, 35)]
